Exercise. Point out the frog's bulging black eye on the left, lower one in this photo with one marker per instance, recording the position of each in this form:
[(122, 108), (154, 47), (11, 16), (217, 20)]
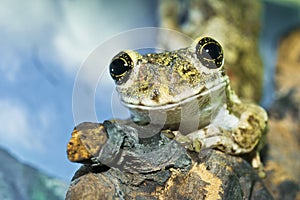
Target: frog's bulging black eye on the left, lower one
[(120, 67)]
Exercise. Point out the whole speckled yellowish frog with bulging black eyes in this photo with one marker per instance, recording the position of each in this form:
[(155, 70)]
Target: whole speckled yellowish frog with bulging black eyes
[(188, 92)]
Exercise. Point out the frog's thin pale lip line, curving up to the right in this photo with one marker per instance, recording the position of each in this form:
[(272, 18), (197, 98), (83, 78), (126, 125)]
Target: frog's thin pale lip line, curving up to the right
[(208, 92)]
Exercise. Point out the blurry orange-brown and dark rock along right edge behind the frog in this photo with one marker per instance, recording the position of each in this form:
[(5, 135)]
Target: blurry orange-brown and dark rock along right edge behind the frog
[(283, 152)]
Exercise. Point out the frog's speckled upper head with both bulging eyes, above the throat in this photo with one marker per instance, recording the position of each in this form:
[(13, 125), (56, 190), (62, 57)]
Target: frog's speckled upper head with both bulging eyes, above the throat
[(163, 80)]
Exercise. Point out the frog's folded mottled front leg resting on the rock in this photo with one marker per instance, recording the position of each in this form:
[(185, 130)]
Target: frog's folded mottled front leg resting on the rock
[(240, 131)]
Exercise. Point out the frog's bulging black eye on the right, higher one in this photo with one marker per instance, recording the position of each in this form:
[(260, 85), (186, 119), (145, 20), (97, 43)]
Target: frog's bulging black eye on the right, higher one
[(210, 53)]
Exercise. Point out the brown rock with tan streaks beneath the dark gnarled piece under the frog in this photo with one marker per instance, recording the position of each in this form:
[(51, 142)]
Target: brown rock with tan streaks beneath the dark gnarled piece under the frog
[(213, 175)]
